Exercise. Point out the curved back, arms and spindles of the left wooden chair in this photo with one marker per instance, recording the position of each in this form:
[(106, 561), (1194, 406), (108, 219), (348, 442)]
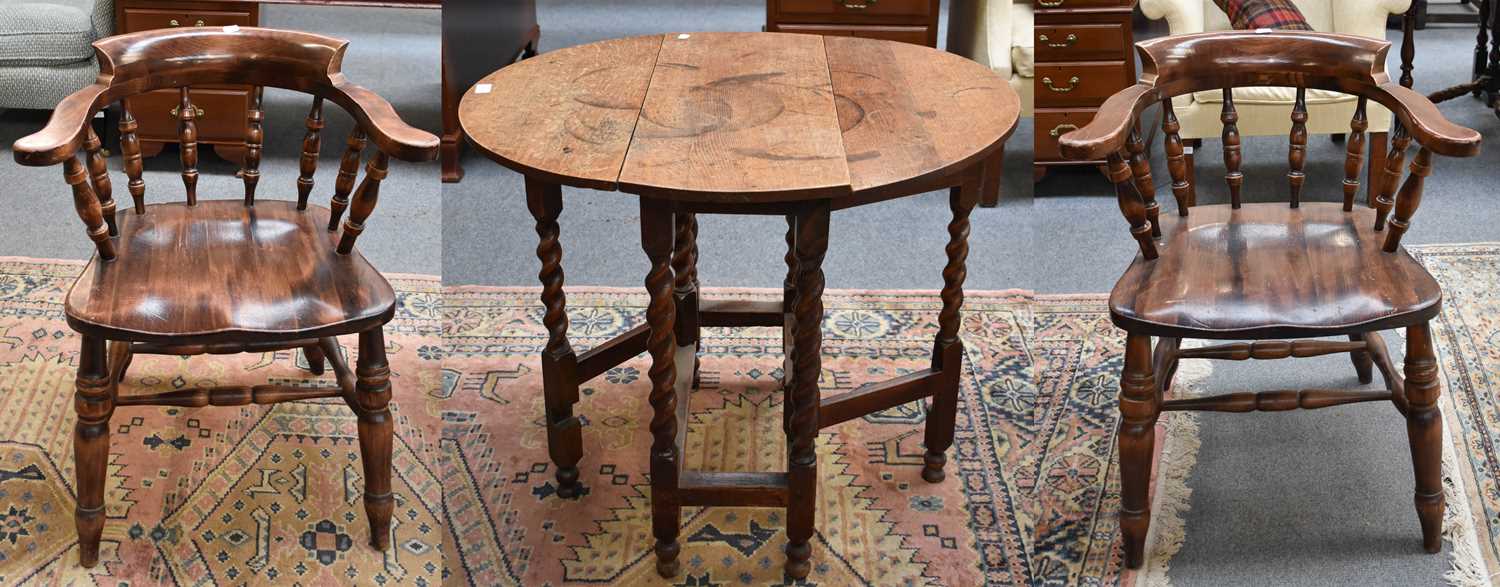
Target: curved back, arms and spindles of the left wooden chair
[(136, 64)]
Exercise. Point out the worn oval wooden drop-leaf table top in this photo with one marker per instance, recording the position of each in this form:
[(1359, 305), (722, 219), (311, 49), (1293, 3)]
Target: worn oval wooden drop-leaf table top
[(742, 118)]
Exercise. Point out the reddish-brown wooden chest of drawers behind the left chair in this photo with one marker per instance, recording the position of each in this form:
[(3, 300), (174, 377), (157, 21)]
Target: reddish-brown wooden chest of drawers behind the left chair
[(220, 109)]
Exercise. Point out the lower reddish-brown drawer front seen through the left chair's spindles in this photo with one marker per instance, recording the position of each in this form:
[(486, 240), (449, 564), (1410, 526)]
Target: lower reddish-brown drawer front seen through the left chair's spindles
[(221, 119)]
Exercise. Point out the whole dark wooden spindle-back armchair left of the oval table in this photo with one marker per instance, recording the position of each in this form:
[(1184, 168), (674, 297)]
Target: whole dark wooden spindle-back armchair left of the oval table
[(226, 275)]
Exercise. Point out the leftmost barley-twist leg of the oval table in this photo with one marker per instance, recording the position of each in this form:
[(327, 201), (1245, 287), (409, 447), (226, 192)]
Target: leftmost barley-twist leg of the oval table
[(559, 361)]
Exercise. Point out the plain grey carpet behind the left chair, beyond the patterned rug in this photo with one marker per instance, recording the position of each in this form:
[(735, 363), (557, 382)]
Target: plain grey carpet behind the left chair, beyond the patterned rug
[(397, 56)]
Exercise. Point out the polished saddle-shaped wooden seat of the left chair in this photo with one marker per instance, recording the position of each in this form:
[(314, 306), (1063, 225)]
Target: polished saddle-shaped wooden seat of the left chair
[(271, 271)]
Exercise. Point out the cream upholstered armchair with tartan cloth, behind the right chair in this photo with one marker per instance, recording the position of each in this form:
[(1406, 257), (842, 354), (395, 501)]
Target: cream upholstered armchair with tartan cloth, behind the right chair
[(1267, 110)]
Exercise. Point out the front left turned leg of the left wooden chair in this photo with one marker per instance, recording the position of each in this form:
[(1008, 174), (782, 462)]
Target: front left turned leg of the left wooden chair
[(95, 405)]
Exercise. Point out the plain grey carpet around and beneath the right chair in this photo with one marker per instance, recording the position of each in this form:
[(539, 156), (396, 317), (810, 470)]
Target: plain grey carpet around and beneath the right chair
[(1309, 498)]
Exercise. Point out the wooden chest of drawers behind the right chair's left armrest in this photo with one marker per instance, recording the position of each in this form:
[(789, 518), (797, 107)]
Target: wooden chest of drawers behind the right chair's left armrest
[(1084, 56)]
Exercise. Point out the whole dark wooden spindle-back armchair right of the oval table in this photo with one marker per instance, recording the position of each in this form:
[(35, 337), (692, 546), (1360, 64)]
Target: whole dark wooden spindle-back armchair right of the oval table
[(1268, 272)]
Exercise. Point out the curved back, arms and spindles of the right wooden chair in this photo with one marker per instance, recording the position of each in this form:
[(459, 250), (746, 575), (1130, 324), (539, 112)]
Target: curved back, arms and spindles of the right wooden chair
[(1181, 65)]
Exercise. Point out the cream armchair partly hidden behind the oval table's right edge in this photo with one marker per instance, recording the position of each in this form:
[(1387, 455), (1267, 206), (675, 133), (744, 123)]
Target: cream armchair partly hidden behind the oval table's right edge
[(1000, 35)]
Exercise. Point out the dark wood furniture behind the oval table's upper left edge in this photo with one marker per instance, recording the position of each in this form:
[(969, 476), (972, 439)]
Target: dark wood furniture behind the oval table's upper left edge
[(479, 37)]
